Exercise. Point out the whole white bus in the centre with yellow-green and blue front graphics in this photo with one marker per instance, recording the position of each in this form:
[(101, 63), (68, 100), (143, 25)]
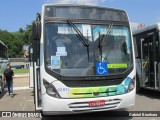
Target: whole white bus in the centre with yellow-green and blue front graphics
[(83, 59)]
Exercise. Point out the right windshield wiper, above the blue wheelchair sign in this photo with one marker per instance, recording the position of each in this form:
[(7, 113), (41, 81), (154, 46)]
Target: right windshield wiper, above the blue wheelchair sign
[(104, 37)]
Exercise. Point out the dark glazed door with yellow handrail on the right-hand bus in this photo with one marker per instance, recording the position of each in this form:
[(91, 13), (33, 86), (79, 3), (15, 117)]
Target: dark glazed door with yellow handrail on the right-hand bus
[(149, 49)]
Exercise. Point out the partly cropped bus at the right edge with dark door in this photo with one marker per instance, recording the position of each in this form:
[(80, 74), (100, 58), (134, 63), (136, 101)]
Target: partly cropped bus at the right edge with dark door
[(148, 60)]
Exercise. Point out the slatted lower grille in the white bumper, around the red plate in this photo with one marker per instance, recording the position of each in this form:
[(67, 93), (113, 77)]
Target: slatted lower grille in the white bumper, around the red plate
[(84, 106)]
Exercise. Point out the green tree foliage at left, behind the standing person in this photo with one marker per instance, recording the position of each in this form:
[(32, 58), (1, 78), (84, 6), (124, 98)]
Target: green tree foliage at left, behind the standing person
[(16, 40)]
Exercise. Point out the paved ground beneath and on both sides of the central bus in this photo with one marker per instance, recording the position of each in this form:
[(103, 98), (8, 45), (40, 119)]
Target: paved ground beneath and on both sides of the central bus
[(23, 101)]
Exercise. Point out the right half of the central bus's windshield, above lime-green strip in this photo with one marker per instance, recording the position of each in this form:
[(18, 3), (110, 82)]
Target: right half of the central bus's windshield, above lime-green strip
[(115, 47)]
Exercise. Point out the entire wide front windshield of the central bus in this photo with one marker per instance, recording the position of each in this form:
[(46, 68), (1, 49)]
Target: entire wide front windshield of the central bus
[(66, 55)]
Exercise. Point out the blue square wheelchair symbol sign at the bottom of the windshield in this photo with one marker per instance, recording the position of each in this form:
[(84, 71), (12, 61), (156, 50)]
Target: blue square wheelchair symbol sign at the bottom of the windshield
[(101, 68)]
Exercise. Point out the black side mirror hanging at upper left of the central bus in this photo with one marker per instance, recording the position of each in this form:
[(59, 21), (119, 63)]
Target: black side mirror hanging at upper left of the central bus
[(36, 28)]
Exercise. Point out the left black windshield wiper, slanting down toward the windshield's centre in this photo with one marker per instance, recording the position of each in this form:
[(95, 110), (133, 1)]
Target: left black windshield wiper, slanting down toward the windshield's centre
[(80, 36)]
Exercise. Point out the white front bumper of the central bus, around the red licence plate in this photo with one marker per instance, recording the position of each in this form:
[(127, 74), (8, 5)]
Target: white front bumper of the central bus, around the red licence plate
[(54, 106)]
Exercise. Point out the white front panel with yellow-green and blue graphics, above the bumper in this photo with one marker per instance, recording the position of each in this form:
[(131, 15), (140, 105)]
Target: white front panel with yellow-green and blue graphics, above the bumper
[(68, 92)]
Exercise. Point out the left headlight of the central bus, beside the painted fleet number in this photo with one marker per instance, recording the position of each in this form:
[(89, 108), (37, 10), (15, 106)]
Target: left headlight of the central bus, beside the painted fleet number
[(50, 89)]
